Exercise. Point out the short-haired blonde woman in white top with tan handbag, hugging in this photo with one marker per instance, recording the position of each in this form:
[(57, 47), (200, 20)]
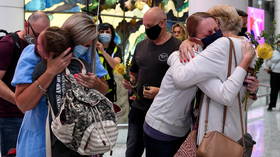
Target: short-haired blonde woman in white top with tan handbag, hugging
[(213, 63)]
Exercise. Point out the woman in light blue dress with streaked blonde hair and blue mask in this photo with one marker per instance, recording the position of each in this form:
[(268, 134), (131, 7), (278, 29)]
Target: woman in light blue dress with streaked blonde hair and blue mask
[(82, 33)]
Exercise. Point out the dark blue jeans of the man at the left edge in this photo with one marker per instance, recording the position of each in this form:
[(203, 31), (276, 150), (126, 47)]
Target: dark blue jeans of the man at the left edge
[(9, 128)]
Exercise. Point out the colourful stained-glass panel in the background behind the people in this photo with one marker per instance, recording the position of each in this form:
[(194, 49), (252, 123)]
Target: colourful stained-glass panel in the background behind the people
[(124, 15)]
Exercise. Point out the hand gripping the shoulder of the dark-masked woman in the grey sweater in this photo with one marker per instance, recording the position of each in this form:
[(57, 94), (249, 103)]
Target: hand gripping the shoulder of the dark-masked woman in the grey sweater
[(187, 50)]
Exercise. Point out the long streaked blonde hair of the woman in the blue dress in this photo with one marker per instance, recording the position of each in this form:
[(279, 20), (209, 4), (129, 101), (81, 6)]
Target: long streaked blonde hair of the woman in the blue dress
[(81, 28)]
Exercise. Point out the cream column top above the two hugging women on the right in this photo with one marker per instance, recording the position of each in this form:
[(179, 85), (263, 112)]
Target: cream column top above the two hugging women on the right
[(204, 5)]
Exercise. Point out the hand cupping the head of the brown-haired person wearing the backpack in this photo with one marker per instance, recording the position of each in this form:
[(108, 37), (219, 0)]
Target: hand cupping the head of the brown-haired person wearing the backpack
[(58, 64)]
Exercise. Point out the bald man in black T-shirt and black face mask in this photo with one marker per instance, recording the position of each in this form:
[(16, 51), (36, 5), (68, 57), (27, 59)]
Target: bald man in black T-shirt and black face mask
[(149, 65)]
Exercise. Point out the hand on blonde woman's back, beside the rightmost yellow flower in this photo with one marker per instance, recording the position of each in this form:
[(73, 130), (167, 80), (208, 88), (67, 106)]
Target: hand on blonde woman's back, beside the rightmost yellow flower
[(248, 54)]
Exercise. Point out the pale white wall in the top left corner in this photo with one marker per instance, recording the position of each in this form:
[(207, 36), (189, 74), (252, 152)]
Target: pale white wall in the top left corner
[(11, 14)]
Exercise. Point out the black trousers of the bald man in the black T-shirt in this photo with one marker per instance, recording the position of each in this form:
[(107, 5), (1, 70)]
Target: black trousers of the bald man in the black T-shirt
[(135, 141)]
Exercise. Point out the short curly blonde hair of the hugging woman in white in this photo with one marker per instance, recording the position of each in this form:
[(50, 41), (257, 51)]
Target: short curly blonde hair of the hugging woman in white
[(228, 18)]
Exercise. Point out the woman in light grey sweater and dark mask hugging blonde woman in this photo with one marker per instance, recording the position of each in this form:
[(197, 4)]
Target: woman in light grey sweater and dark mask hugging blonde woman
[(169, 118)]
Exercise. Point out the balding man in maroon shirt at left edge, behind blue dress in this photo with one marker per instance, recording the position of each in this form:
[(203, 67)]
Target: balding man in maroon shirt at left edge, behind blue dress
[(11, 47)]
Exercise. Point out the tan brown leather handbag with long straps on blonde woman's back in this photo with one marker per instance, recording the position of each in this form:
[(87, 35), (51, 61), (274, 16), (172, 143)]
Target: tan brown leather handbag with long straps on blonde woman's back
[(214, 143)]
